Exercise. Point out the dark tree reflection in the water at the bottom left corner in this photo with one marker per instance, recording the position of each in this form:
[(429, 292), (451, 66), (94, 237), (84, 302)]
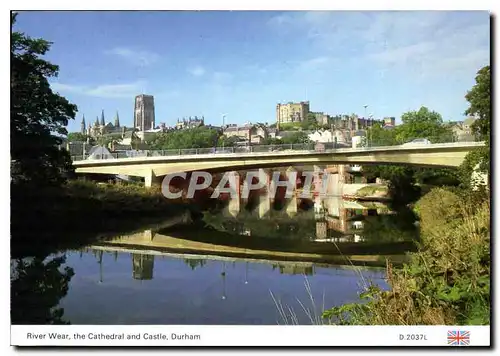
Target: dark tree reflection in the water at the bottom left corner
[(37, 286)]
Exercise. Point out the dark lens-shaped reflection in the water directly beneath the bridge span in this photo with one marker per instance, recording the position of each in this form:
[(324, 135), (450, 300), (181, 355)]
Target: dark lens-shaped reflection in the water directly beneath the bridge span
[(324, 219)]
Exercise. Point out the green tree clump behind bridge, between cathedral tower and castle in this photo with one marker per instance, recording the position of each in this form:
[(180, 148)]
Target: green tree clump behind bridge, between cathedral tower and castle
[(198, 137)]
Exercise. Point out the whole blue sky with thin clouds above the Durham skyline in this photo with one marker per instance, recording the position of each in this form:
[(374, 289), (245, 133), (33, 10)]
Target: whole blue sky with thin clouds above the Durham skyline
[(244, 63)]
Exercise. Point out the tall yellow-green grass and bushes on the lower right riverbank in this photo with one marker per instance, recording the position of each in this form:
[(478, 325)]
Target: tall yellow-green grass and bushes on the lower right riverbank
[(447, 282)]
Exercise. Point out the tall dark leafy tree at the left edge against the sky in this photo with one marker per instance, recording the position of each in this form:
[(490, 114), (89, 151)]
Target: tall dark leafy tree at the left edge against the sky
[(38, 115)]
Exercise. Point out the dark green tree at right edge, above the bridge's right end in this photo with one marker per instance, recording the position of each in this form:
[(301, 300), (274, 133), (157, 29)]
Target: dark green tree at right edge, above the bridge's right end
[(479, 101)]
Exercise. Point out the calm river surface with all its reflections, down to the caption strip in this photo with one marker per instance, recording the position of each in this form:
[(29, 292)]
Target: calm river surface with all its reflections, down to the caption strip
[(196, 273)]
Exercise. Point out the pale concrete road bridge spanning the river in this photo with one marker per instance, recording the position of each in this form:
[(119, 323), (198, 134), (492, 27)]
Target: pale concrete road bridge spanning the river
[(153, 165)]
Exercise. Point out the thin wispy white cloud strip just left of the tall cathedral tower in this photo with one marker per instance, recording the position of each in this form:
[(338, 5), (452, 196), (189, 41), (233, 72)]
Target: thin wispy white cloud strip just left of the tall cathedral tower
[(127, 90)]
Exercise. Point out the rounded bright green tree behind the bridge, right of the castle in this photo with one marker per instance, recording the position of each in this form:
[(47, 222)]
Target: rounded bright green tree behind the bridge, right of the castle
[(423, 124)]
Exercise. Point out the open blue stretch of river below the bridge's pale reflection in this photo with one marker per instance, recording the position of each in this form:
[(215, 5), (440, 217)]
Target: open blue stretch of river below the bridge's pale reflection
[(167, 288)]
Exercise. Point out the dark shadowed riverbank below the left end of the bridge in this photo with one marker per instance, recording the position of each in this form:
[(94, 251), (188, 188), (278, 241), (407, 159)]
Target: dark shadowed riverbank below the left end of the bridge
[(78, 213)]
